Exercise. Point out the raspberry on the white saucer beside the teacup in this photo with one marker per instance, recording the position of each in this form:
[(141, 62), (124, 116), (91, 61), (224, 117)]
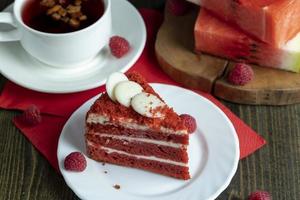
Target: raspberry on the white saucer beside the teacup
[(119, 46)]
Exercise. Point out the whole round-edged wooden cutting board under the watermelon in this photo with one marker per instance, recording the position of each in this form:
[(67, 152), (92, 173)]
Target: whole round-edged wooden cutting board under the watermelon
[(174, 50)]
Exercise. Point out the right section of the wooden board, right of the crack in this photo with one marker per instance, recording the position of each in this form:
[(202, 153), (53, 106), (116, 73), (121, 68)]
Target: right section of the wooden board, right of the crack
[(269, 87)]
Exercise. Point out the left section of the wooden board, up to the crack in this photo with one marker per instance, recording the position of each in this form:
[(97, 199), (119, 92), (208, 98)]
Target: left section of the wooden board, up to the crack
[(174, 52)]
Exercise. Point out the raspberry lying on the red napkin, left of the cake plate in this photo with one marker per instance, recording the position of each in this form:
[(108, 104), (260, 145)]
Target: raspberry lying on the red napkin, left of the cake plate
[(31, 116)]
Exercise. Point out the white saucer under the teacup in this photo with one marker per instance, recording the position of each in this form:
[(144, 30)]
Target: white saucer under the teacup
[(18, 66)]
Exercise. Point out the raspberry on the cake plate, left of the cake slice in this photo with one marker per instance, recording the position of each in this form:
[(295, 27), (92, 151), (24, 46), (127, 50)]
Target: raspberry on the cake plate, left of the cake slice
[(75, 162)]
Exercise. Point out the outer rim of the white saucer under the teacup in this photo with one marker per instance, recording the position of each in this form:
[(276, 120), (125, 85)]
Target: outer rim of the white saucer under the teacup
[(89, 86)]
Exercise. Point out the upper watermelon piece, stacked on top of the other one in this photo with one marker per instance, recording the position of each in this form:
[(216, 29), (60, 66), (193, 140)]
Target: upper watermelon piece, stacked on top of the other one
[(272, 21)]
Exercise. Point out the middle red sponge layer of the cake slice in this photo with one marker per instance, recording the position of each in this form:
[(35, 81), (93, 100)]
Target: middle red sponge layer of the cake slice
[(141, 148)]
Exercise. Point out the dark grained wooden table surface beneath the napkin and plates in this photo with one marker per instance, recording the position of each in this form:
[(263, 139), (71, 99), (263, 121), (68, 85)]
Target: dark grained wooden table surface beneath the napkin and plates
[(26, 174)]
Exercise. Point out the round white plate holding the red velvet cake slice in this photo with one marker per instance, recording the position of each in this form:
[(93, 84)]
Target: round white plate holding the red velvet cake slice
[(213, 157)]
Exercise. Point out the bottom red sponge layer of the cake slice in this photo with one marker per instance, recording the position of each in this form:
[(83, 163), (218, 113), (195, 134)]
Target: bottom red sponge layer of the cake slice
[(153, 166)]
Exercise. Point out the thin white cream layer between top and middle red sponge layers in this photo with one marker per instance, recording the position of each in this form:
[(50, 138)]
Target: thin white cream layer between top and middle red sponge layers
[(146, 140)]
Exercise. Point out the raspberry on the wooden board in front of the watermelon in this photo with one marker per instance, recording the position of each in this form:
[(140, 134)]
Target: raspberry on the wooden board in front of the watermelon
[(241, 74)]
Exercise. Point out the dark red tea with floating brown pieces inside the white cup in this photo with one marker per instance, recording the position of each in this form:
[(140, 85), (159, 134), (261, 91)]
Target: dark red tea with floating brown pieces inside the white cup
[(61, 16)]
